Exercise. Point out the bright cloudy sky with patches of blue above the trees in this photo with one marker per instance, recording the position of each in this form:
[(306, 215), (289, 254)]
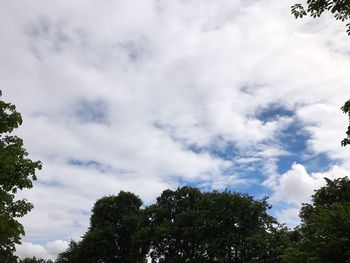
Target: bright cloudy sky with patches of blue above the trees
[(143, 96)]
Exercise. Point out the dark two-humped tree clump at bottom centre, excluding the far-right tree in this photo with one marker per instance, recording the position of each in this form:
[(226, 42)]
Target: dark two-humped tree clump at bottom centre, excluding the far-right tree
[(184, 225)]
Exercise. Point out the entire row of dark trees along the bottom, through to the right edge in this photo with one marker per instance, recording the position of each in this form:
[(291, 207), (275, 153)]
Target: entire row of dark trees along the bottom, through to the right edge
[(187, 225)]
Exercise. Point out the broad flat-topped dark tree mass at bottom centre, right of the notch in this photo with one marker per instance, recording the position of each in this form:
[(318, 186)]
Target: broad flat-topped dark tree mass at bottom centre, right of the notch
[(189, 226)]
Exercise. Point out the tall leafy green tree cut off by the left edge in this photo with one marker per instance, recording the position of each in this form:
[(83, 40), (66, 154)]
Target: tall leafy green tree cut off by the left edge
[(16, 173)]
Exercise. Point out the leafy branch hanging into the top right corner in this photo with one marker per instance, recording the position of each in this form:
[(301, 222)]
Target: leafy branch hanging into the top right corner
[(315, 8)]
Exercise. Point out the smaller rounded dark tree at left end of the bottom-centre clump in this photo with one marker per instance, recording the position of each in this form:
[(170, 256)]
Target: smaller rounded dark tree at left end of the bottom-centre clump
[(114, 234)]
